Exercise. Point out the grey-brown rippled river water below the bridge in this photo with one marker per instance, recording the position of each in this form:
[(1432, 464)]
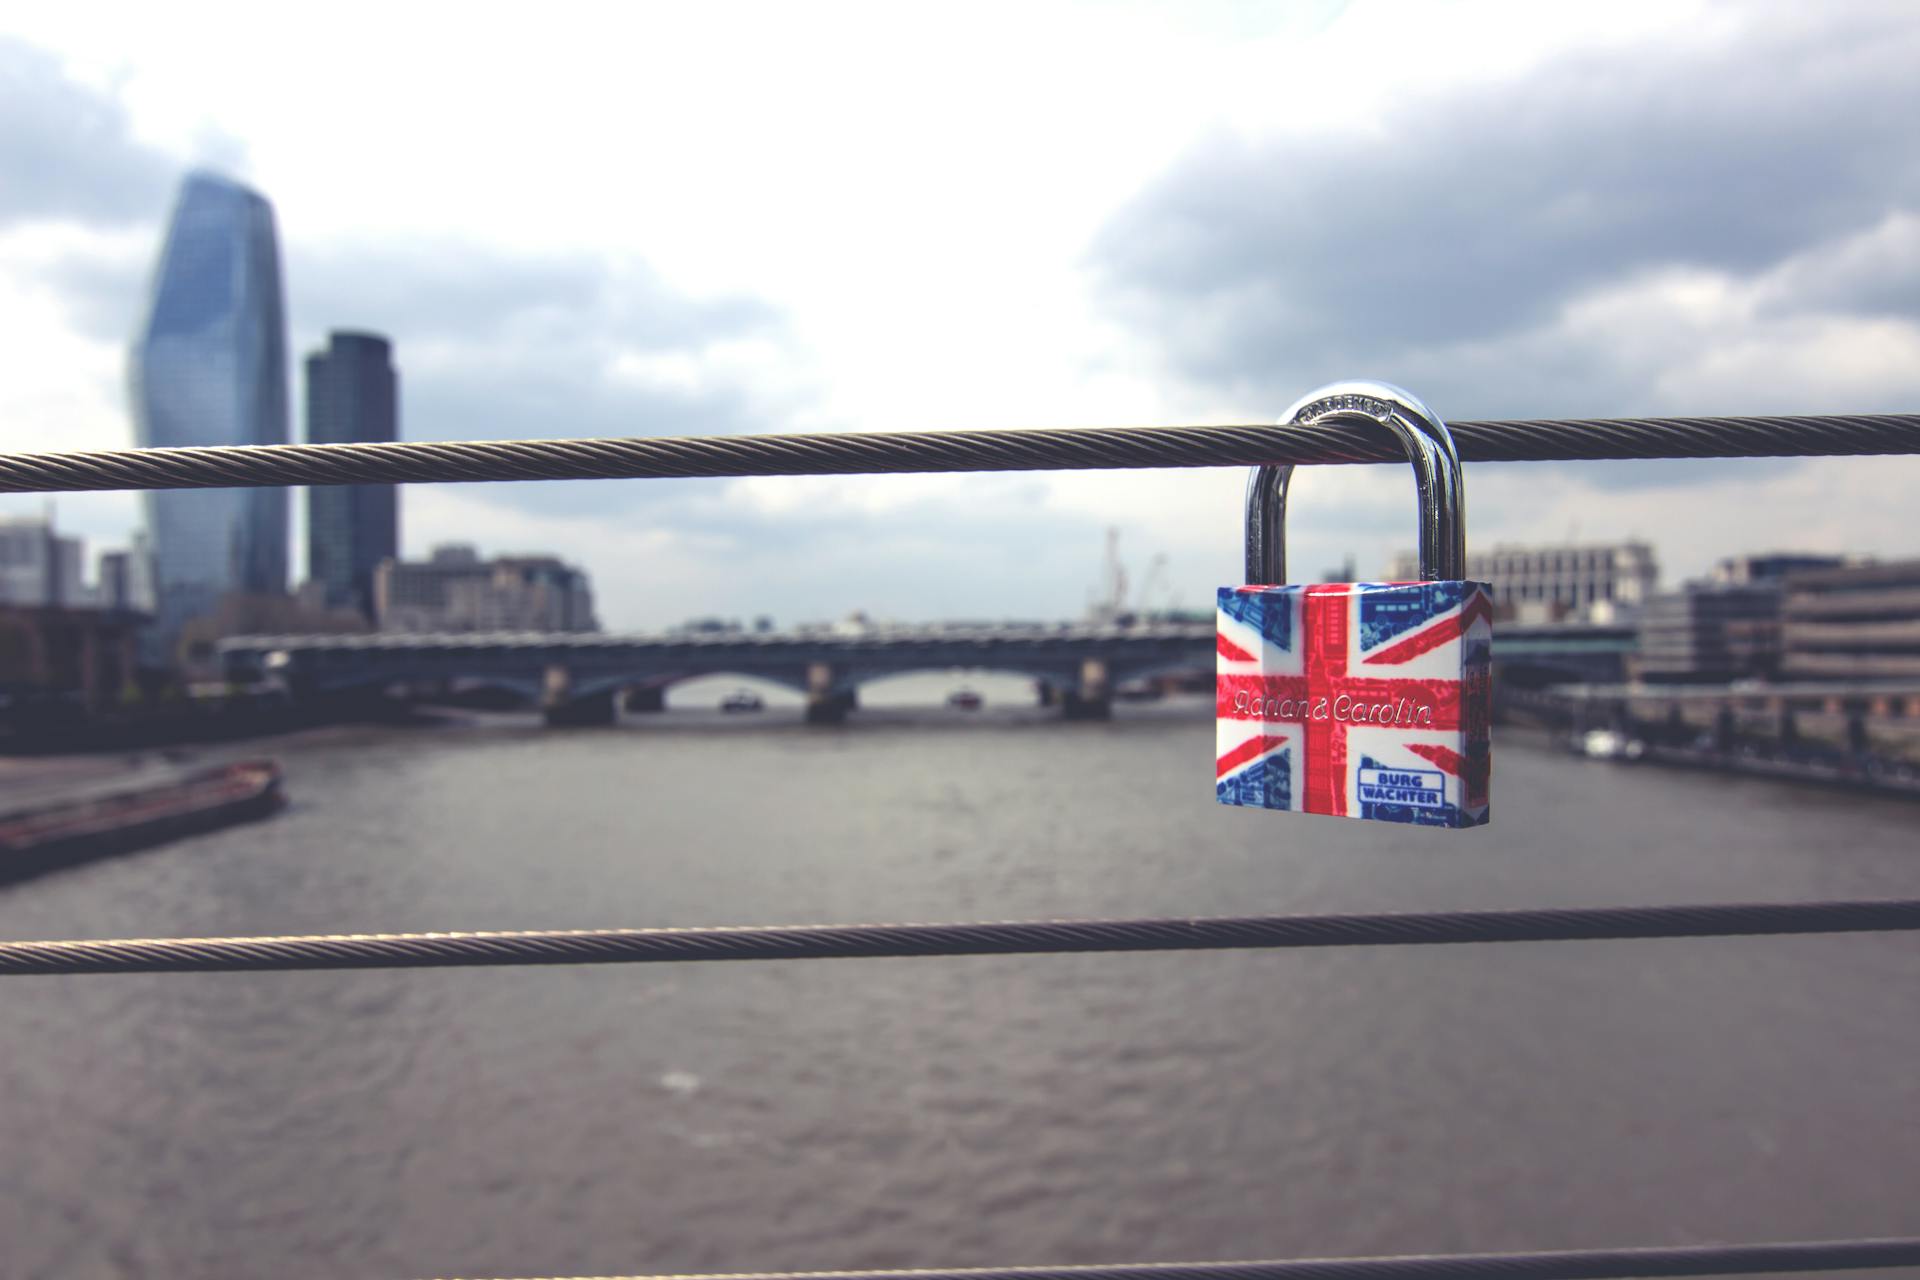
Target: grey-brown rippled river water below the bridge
[(948, 1112)]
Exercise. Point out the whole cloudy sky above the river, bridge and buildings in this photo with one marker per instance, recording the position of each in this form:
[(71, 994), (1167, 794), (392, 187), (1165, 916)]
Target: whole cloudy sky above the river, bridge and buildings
[(690, 220)]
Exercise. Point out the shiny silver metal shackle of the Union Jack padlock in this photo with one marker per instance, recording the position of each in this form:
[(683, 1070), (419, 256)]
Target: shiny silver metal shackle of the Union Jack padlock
[(1443, 534)]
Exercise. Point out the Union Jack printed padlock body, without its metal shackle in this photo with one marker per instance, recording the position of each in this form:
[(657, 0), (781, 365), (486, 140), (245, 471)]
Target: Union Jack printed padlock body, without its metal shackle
[(1358, 699)]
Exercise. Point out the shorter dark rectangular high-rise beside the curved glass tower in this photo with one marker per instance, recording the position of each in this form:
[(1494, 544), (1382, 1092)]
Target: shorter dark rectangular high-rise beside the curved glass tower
[(352, 396)]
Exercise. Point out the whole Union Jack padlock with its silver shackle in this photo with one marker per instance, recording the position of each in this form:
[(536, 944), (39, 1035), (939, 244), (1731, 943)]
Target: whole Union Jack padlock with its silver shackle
[(1360, 699)]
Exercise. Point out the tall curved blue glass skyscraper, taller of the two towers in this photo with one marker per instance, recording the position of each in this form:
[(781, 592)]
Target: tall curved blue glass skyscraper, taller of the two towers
[(210, 369)]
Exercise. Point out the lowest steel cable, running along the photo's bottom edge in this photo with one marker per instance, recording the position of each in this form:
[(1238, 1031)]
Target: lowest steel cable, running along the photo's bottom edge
[(1562, 1266)]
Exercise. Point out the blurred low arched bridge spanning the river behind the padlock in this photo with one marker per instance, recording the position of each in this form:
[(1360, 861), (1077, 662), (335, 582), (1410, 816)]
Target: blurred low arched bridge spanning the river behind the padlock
[(581, 678)]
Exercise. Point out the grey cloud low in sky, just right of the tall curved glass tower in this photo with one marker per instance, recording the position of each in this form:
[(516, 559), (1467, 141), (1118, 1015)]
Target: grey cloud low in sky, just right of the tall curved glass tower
[(502, 346)]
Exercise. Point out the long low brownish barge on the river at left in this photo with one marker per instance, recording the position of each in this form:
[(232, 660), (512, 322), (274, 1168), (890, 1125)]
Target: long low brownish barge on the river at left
[(114, 822)]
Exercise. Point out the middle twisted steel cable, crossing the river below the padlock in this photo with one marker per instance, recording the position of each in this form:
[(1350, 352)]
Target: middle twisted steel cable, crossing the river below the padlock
[(596, 947)]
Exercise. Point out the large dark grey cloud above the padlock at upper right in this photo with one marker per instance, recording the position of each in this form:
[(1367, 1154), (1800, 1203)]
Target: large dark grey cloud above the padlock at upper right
[(1439, 249)]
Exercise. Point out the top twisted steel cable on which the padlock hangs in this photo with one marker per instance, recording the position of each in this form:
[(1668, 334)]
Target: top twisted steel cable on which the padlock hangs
[(848, 454)]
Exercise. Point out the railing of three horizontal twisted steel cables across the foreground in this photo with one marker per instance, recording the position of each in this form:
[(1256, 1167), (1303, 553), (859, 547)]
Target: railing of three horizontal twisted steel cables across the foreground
[(1022, 450)]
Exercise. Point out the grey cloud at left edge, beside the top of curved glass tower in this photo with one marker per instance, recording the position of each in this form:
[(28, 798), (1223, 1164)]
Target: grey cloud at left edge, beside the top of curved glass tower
[(68, 153)]
